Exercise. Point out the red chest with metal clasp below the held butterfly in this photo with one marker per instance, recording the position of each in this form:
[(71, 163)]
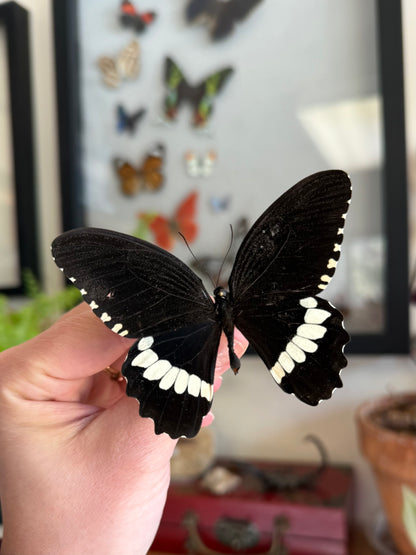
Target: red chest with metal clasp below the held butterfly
[(303, 521)]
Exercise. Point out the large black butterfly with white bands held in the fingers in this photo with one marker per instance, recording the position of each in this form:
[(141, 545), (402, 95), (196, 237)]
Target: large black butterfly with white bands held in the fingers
[(286, 259)]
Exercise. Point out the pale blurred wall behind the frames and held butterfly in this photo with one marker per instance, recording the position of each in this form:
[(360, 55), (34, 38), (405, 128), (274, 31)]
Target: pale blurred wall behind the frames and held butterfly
[(242, 427)]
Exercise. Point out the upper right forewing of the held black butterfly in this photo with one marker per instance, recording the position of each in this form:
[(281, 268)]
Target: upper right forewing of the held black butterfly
[(295, 245)]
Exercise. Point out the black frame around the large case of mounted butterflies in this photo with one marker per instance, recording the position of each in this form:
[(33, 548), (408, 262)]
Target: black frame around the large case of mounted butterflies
[(394, 338)]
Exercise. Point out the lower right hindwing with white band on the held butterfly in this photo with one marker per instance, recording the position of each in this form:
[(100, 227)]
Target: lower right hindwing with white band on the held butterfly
[(301, 340)]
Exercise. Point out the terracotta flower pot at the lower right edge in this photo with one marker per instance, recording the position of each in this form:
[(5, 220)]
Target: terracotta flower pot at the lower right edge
[(392, 455)]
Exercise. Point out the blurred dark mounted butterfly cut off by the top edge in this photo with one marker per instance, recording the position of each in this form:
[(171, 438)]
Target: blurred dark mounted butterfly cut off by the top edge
[(220, 15)]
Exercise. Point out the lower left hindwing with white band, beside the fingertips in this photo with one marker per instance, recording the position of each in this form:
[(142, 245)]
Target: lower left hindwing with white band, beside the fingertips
[(172, 376)]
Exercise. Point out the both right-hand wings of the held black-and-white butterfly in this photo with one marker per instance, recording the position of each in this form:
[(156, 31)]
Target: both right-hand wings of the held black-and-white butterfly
[(289, 256)]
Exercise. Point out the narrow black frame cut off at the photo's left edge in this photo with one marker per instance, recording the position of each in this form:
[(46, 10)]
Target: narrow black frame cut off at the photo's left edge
[(15, 21)]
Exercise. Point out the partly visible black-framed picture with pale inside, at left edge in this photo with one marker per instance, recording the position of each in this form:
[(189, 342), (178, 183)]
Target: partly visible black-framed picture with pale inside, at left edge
[(18, 230)]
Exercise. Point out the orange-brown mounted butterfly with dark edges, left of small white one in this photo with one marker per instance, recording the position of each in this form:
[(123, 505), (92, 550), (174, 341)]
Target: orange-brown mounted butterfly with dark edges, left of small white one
[(147, 177)]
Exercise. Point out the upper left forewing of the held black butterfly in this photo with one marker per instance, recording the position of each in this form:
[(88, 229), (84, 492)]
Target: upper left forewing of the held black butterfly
[(133, 286)]
